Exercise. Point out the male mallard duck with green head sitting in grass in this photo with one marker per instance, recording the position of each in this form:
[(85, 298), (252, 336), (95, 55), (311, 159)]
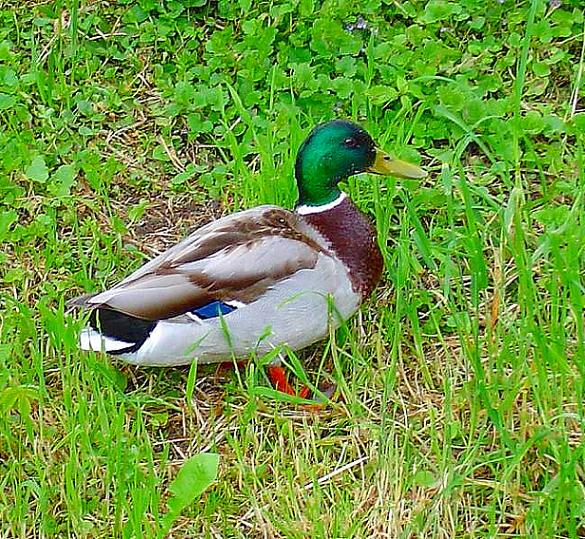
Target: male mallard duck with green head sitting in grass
[(257, 279)]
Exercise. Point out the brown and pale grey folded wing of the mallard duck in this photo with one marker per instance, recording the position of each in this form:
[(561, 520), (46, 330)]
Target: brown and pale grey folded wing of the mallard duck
[(235, 258)]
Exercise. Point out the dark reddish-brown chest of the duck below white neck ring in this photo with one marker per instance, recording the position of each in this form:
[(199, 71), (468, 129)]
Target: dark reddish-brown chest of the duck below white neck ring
[(353, 239)]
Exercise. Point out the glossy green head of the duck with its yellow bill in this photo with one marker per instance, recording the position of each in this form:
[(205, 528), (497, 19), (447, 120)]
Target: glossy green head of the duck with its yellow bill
[(333, 152)]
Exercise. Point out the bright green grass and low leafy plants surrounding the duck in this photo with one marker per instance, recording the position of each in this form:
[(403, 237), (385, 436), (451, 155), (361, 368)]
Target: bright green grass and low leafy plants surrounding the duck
[(124, 125)]
